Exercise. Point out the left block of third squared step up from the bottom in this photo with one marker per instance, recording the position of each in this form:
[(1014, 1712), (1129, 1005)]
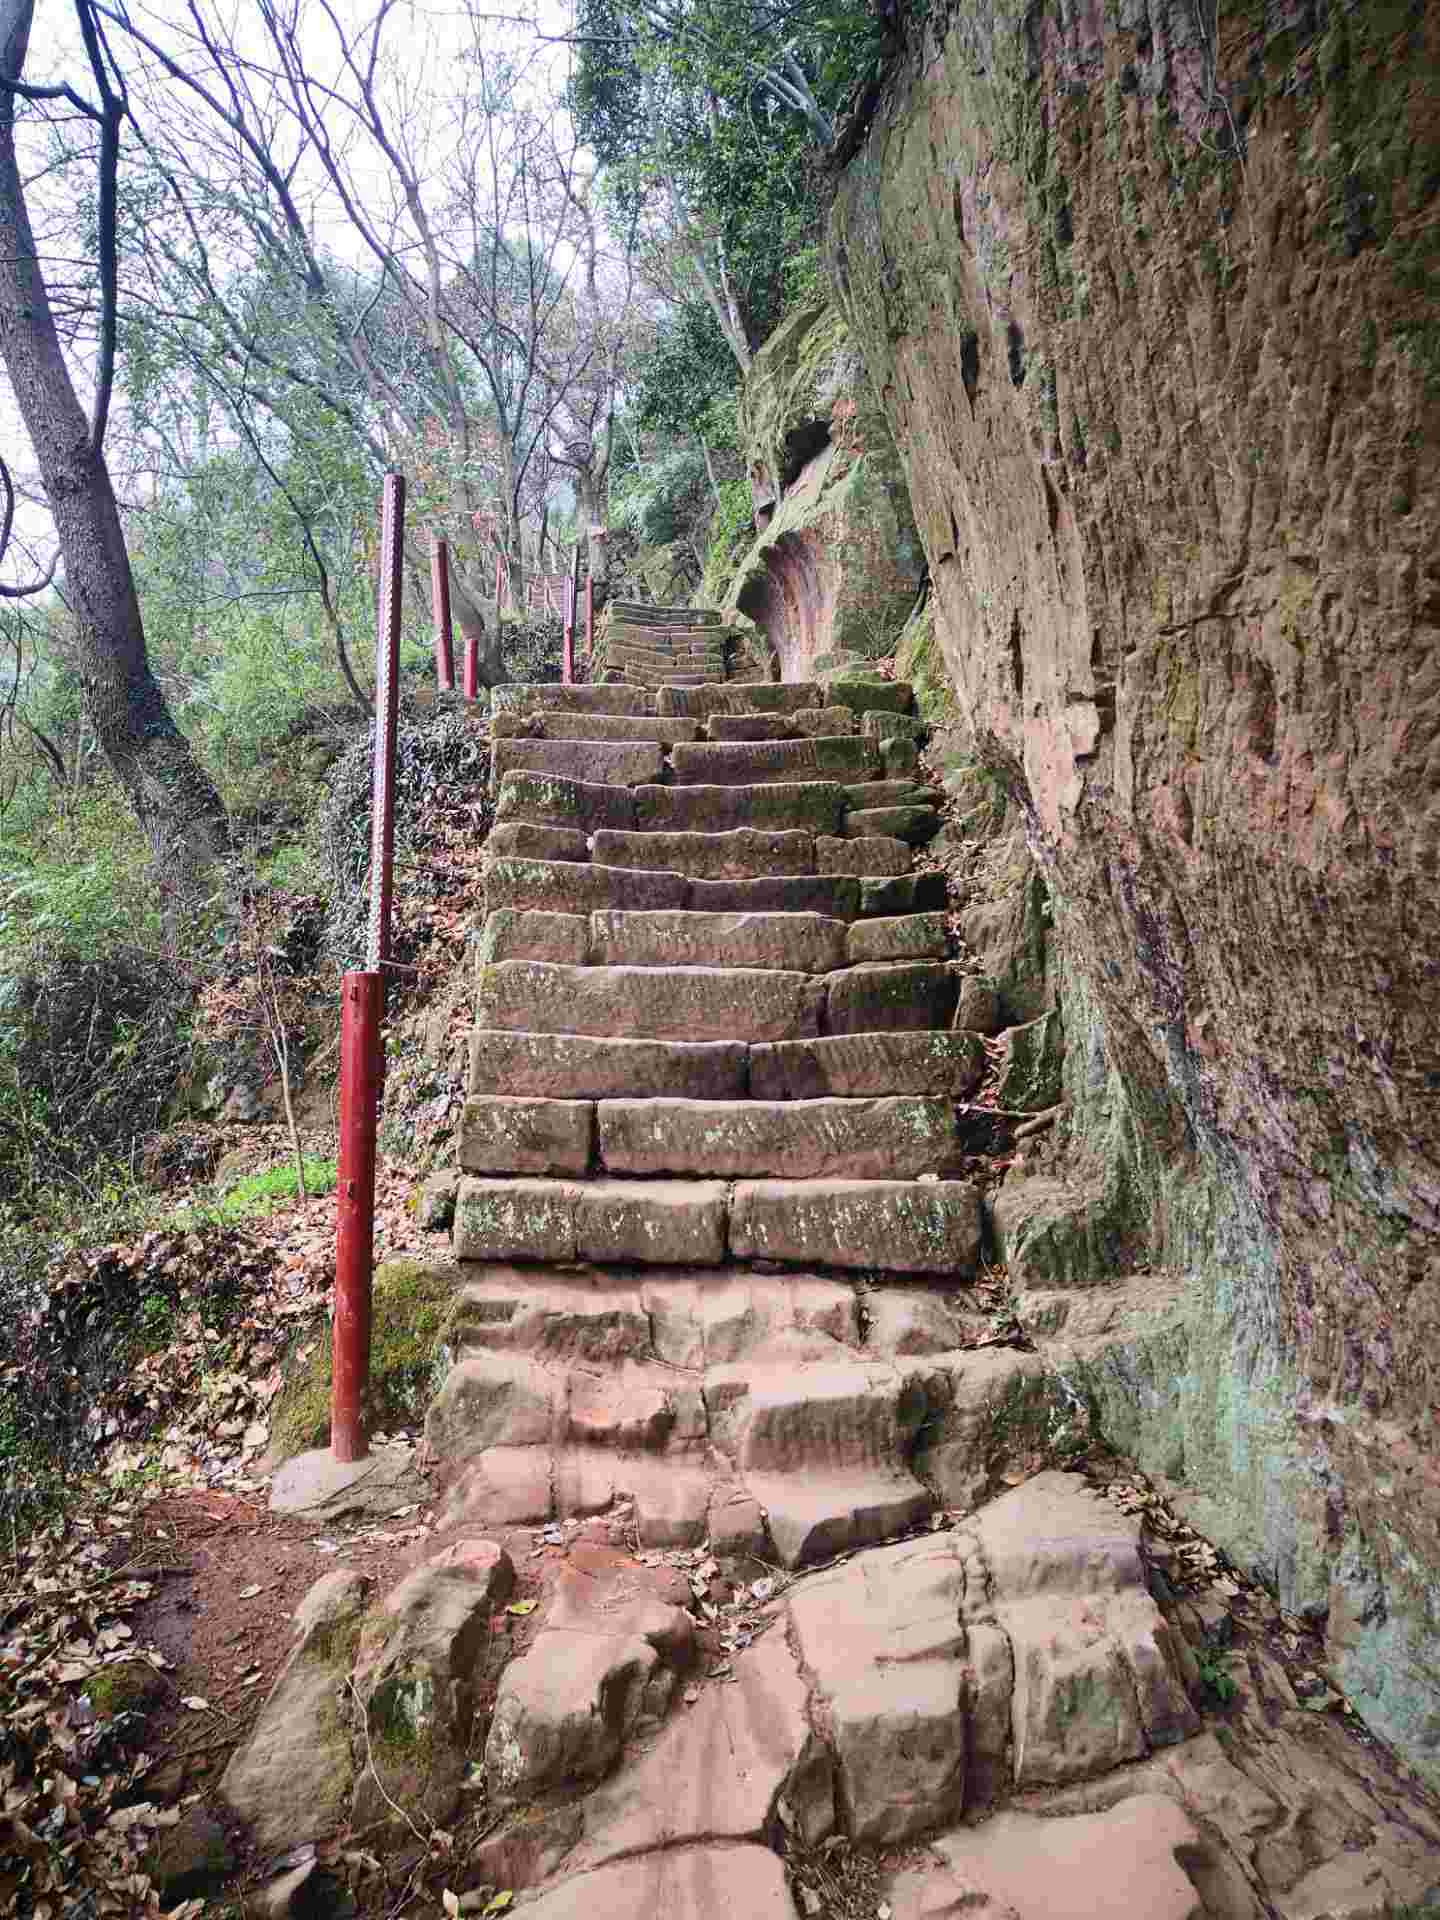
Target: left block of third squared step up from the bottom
[(581, 1067)]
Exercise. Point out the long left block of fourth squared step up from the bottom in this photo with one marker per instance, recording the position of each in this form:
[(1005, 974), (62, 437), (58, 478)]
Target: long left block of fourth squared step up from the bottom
[(648, 1003)]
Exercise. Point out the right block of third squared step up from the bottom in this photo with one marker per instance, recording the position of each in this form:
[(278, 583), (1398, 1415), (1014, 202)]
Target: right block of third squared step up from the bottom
[(948, 1065)]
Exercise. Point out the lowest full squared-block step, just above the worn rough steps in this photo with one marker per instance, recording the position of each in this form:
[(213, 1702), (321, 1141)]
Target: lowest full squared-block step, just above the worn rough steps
[(888, 1226)]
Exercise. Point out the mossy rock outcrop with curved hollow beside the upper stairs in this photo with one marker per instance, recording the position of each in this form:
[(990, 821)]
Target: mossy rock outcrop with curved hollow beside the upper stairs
[(836, 562)]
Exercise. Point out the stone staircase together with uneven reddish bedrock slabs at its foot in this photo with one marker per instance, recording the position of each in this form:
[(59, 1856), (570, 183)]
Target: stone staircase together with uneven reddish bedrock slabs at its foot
[(811, 1627)]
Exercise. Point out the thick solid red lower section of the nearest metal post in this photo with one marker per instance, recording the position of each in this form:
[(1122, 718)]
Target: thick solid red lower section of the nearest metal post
[(354, 1257)]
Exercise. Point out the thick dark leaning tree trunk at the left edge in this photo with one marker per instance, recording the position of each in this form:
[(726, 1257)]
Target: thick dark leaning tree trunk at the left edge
[(178, 805)]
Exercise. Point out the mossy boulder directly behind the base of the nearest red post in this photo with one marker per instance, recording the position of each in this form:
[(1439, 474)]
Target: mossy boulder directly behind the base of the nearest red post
[(408, 1360)]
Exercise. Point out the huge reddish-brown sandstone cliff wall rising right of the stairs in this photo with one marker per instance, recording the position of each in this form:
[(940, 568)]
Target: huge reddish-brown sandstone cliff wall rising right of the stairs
[(1155, 324)]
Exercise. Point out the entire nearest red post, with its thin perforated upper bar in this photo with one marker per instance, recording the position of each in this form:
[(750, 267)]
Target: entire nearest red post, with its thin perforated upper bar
[(360, 1030)]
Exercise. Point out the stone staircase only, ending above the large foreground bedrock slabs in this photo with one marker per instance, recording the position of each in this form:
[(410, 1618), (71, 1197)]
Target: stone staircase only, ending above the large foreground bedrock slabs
[(713, 1212)]
